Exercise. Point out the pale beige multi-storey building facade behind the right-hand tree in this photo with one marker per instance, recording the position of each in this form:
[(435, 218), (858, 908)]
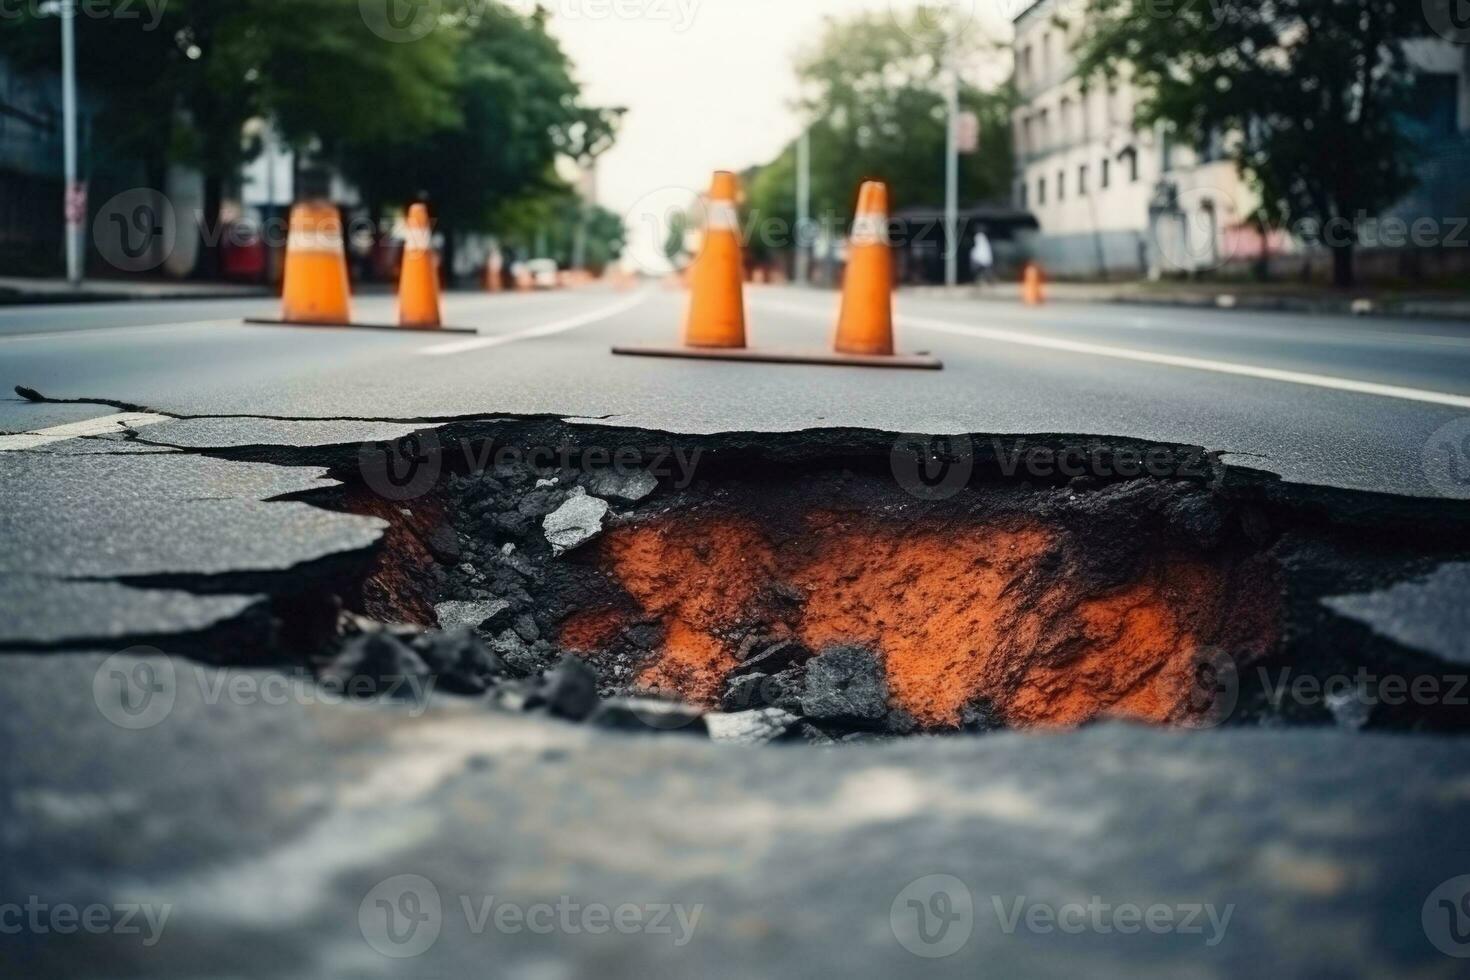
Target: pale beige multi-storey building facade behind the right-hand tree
[(1116, 202)]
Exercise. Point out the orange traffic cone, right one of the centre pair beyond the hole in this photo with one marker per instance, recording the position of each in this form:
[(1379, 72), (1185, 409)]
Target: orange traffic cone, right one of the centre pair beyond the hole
[(867, 324)]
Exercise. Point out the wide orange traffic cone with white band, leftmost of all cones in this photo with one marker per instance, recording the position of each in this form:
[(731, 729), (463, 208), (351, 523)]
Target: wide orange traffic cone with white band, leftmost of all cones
[(315, 289)]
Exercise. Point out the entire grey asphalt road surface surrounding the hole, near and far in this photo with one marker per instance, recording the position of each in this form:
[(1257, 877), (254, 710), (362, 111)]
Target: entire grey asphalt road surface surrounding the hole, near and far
[(276, 831)]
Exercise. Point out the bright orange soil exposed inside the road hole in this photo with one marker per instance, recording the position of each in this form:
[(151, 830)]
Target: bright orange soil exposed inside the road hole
[(958, 613)]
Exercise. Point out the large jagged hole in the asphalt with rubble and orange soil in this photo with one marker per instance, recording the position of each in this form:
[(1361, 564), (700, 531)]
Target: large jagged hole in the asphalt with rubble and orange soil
[(850, 586)]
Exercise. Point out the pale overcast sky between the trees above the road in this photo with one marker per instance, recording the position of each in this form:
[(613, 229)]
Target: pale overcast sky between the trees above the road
[(708, 83)]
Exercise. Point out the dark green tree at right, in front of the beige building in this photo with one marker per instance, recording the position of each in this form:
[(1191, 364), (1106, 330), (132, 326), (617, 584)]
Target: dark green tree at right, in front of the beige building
[(1308, 90)]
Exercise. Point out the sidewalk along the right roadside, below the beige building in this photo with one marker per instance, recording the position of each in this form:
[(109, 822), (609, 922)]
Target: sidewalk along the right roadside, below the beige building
[(1246, 296)]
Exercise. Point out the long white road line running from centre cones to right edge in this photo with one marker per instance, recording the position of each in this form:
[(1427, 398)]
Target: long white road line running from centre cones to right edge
[(1172, 361)]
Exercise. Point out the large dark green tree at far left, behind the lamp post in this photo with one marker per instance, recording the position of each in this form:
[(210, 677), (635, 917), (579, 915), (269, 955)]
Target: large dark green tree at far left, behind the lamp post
[(182, 86)]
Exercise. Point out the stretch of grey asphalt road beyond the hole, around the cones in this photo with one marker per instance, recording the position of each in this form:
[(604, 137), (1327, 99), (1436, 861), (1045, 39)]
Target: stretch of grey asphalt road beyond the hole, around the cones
[(1293, 394)]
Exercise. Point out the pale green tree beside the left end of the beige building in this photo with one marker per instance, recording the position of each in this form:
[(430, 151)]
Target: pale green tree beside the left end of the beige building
[(875, 90)]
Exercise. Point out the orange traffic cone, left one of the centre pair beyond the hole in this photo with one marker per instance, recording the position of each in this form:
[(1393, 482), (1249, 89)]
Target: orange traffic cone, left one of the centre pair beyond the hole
[(718, 302)]
